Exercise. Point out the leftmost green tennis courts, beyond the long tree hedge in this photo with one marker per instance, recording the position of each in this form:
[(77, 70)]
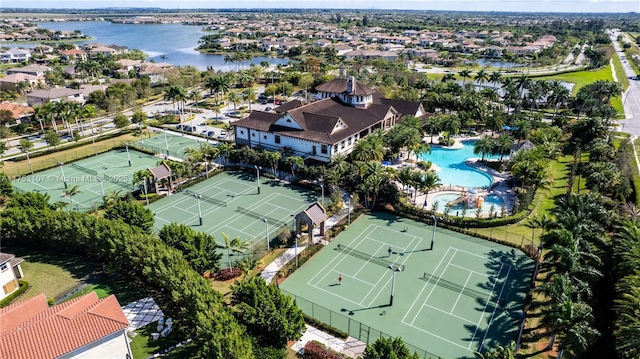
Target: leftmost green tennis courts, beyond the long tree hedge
[(94, 176)]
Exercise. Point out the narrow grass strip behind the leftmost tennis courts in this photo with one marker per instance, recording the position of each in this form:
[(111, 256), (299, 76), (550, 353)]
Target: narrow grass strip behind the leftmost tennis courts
[(17, 168)]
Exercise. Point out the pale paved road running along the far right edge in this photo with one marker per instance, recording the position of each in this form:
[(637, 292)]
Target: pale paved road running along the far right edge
[(631, 98)]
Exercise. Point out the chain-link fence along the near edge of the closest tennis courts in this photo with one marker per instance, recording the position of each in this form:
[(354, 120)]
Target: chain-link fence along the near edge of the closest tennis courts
[(352, 327)]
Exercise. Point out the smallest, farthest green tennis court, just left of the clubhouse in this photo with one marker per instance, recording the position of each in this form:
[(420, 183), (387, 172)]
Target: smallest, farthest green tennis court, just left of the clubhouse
[(167, 143)]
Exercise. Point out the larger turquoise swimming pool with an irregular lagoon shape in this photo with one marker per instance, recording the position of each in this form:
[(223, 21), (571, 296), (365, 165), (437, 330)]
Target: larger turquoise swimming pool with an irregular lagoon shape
[(453, 169)]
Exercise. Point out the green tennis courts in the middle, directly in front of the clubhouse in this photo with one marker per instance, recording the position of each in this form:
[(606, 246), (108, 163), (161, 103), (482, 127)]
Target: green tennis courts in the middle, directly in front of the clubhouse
[(230, 203)]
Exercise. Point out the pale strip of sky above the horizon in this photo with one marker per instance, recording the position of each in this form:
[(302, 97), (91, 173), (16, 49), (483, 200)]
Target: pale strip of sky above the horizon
[(456, 5)]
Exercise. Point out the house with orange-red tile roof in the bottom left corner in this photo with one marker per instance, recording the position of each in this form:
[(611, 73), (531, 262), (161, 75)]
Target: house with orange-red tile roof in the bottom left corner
[(85, 327)]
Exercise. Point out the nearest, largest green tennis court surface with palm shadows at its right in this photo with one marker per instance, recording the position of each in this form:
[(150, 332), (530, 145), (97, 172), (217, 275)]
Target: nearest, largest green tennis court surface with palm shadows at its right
[(461, 296)]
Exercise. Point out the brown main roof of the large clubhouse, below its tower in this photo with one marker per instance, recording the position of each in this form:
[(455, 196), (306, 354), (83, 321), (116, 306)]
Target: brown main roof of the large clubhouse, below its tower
[(318, 120)]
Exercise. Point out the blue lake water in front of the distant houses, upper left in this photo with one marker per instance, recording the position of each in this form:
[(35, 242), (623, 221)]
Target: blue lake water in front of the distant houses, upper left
[(176, 42)]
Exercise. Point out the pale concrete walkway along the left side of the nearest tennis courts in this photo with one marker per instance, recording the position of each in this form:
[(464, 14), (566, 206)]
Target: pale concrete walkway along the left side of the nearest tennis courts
[(350, 347)]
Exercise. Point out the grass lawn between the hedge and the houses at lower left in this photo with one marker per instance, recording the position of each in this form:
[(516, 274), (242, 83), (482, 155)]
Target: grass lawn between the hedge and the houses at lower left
[(50, 273)]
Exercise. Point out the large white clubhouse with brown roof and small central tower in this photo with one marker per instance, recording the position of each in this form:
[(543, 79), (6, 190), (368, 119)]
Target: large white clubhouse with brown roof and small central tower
[(345, 112)]
